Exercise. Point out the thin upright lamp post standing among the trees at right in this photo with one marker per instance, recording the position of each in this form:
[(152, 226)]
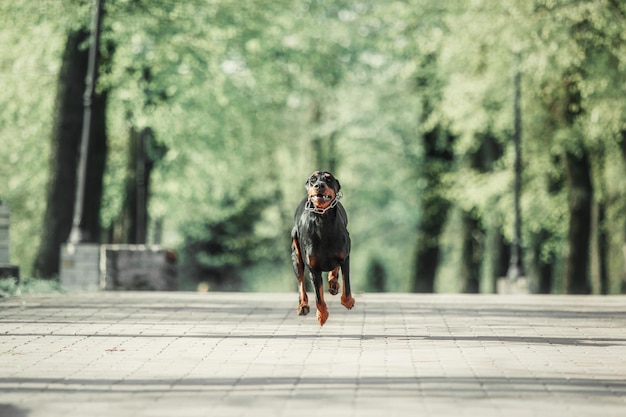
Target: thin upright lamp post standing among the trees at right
[(516, 268)]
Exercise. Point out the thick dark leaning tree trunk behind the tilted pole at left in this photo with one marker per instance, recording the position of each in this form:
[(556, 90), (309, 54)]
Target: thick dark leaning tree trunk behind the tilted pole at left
[(65, 137)]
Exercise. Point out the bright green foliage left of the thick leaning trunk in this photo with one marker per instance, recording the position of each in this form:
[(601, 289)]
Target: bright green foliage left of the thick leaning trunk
[(32, 39)]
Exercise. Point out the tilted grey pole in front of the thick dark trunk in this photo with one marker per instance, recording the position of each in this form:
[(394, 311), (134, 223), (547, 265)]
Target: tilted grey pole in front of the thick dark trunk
[(78, 233)]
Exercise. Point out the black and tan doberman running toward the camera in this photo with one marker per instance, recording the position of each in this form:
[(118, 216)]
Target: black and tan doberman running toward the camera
[(321, 243)]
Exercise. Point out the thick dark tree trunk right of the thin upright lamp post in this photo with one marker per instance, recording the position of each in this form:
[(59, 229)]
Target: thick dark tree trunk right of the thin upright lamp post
[(580, 202)]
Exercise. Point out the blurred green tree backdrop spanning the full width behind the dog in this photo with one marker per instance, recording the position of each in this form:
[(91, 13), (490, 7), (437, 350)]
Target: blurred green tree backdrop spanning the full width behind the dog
[(409, 103)]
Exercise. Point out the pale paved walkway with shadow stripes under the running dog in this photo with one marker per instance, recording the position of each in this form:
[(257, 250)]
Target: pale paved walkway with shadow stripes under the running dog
[(185, 354)]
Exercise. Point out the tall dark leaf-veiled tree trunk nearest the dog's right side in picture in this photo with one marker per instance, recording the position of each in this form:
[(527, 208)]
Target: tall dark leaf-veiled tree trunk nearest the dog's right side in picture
[(434, 209)]
